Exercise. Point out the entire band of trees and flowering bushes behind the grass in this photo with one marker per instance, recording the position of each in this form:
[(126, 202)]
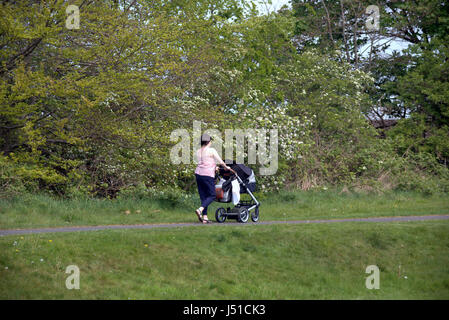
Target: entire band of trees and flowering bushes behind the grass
[(90, 111)]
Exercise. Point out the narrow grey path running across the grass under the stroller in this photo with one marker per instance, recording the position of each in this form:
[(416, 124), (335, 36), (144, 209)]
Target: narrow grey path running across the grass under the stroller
[(197, 224)]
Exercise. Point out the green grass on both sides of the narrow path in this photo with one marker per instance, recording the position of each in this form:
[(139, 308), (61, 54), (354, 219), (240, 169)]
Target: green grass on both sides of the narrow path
[(312, 261)]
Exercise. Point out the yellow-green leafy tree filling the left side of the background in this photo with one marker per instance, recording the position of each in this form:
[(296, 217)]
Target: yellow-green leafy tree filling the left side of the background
[(93, 107)]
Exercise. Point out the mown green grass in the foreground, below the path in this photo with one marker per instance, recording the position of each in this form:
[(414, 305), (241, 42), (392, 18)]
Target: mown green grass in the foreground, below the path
[(313, 261)]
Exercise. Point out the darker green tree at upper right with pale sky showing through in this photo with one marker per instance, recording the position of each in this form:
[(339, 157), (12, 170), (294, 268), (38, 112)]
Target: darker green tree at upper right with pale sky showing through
[(407, 84)]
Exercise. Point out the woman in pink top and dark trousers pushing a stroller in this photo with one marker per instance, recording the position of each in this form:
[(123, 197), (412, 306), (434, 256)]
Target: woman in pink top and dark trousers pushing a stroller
[(205, 175)]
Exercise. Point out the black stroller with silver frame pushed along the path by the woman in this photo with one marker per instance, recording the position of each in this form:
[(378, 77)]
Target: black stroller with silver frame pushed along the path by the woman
[(245, 178)]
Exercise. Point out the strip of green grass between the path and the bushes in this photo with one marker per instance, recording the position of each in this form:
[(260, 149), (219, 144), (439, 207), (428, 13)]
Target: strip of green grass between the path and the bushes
[(43, 211)]
